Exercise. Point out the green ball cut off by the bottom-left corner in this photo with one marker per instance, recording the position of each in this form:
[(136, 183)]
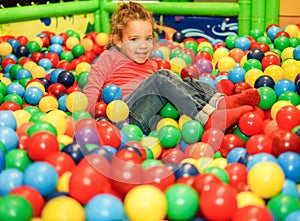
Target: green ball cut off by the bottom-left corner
[(15, 208)]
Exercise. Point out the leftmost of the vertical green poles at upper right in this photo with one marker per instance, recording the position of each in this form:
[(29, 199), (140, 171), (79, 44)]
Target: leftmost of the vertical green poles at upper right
[(244, 17)]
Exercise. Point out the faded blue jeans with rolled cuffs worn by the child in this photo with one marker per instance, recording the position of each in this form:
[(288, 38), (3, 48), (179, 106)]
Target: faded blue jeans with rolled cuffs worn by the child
[(190, 96)]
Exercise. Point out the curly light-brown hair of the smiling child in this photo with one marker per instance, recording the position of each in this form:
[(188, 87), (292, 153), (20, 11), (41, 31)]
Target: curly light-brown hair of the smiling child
[(127, 12)]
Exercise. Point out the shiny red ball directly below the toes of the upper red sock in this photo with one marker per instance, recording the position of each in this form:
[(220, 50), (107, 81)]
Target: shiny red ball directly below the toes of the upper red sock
[(250, 123)]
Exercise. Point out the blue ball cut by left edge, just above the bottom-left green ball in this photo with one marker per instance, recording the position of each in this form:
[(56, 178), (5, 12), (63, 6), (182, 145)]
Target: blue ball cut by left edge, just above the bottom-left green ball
[(10, 179)]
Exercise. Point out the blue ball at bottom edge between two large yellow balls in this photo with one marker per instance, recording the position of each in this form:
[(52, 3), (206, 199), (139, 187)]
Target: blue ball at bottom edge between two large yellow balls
[(104, 207)]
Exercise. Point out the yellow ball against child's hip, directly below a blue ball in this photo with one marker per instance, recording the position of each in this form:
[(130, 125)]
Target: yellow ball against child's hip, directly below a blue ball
[(117, 110)]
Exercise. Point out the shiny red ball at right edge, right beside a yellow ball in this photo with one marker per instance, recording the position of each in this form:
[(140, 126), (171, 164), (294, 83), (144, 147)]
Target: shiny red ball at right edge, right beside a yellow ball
[(288, 117)]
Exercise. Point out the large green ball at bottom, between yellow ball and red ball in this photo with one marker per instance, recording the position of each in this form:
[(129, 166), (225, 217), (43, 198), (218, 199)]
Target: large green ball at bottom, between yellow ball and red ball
[(183, 202)]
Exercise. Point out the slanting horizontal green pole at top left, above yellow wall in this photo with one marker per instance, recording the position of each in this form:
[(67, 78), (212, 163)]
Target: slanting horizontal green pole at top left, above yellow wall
[(25, 13)]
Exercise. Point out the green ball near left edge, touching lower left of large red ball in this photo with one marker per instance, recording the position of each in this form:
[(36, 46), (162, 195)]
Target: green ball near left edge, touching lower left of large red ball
[(17, 159)]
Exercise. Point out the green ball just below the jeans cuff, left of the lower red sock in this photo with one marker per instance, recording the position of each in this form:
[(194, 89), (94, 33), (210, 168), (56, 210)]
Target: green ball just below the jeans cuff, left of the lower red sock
[(192, 131)]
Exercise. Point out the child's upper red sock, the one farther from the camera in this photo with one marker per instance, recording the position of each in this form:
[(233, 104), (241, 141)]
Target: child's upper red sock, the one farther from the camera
[(248, 97)]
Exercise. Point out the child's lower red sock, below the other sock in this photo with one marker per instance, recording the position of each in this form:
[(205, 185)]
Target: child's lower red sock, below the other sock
[(223, 119)]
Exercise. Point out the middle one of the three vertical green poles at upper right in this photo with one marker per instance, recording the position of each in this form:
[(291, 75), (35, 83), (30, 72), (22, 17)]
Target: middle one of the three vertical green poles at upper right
[(258, 14)]
